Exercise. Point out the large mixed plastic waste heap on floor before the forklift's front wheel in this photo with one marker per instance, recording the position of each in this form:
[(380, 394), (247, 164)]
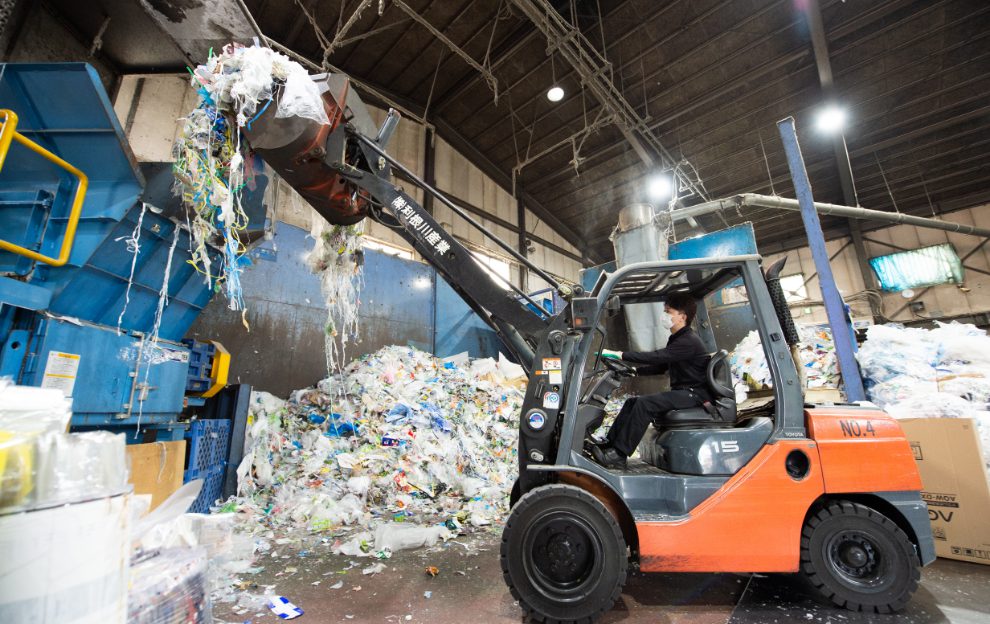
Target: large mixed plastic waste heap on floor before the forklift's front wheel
[(401, 446)]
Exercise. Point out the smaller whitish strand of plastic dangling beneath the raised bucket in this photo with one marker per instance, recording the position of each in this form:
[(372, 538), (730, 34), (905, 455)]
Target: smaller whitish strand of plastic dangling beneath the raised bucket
[(337, 258)]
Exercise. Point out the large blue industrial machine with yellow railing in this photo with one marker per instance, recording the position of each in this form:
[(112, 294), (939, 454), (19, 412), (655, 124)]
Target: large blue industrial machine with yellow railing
[(85, 239)]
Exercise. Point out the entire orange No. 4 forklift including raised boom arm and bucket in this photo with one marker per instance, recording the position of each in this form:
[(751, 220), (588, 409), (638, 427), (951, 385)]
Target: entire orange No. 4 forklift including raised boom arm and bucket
[(770, 485)]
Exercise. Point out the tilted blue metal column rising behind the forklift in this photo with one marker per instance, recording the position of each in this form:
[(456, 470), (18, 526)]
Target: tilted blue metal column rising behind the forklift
[(835, 307)]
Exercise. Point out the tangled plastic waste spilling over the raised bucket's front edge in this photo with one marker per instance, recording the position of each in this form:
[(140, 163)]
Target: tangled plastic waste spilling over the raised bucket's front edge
[(235, 88)]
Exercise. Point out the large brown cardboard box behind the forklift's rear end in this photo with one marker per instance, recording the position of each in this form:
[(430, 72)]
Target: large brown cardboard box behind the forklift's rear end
[(954, 479)]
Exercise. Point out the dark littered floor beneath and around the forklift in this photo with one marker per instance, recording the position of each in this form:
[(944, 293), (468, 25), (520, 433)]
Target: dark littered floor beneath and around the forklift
[(469, 588)]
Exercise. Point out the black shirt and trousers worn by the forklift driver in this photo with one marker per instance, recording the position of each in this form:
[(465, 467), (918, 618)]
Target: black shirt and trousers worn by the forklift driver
[(686, 359)]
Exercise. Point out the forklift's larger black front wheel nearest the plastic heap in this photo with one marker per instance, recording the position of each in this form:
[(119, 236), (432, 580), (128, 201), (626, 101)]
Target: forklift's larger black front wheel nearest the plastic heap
[(563, 555)]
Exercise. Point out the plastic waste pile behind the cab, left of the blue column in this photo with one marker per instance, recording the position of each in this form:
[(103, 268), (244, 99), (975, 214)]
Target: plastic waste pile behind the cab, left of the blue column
[(749, 364)]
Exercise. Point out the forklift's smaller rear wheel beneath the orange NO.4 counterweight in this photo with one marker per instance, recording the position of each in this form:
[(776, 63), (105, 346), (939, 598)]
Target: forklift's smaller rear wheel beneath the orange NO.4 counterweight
[(858, 558)]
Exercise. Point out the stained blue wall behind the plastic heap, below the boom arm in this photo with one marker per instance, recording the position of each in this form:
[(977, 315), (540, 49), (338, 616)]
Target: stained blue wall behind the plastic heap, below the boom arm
[(402, 302)]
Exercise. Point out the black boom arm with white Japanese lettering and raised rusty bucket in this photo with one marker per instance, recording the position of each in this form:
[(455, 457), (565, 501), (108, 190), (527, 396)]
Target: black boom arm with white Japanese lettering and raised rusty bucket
[(346, 175)]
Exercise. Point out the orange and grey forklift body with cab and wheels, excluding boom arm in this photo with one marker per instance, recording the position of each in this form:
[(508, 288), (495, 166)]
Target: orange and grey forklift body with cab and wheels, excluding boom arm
[(770, 485)]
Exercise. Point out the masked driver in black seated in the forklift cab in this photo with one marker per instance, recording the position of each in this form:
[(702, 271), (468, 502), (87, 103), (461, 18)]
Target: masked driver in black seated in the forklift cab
[(684, 357)]
